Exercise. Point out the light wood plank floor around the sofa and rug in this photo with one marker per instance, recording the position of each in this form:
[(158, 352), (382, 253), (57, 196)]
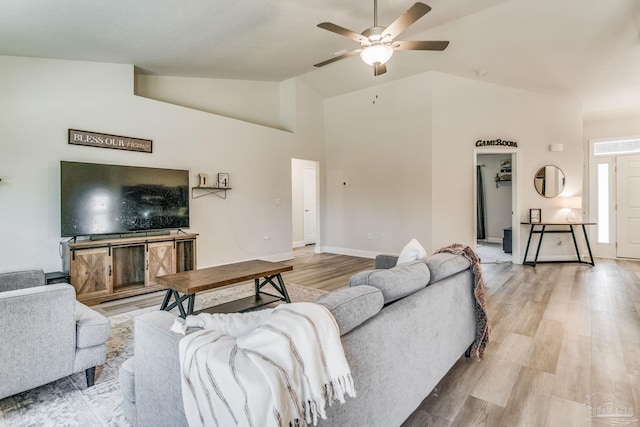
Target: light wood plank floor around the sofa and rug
[(561, 333)]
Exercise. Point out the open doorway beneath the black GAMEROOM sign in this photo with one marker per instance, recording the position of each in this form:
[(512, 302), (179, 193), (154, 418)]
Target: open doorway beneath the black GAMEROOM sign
[(495, 201)]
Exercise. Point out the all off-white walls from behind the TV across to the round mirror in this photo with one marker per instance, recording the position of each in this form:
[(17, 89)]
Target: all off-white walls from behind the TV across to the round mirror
[(406, 150)]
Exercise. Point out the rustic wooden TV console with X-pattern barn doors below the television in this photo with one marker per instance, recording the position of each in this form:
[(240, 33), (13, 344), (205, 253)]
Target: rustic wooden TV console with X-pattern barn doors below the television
[(104, 270)]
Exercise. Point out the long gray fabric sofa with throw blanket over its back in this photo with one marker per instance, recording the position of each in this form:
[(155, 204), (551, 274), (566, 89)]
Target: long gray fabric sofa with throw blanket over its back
[(402, 329)]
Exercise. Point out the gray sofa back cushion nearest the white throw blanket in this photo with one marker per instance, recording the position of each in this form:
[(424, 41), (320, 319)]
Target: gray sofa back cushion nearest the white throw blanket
[(352, 306)]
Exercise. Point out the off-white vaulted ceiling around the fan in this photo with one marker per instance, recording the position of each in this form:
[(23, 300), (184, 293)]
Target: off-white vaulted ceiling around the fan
[(587, 49)]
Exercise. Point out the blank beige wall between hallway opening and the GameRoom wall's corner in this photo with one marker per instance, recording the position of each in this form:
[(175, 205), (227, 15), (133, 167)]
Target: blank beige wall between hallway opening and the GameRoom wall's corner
[(377, 140)]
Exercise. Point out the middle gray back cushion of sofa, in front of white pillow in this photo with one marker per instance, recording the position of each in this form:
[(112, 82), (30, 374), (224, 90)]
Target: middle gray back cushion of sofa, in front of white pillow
[(396, 282)]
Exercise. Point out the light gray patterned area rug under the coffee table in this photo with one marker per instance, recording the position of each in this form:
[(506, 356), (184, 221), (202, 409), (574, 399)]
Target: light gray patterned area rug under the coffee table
[(68, 401)]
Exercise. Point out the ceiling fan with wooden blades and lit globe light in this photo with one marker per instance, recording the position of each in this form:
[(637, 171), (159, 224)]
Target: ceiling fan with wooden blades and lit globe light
[(377, 43)]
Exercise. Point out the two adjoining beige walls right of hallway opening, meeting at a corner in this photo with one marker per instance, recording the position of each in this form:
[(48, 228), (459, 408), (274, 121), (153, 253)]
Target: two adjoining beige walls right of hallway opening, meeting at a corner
[(410, 158)]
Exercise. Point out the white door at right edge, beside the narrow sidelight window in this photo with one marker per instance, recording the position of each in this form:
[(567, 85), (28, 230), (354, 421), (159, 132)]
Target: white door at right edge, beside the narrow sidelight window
[(628, 214)]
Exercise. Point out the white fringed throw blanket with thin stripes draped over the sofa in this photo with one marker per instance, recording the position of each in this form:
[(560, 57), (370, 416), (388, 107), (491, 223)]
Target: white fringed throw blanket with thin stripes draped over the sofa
[(265, 368)]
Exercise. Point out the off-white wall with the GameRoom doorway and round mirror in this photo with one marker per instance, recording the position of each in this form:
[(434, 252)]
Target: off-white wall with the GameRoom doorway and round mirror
[(465, 111)]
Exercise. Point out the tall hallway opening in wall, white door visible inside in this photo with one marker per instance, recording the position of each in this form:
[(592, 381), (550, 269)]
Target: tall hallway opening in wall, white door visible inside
[(304, 202)]
